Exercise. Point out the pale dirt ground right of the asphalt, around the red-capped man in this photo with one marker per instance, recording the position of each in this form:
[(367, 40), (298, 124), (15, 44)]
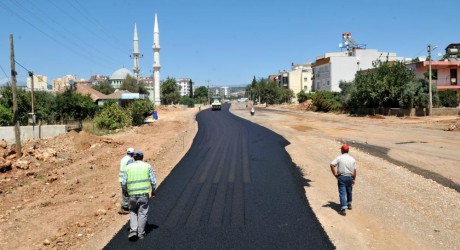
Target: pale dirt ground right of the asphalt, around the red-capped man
[(393, 207)]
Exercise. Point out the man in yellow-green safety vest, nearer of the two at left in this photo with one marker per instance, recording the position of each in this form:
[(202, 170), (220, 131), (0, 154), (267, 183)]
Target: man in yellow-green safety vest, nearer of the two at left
[(138, 182)]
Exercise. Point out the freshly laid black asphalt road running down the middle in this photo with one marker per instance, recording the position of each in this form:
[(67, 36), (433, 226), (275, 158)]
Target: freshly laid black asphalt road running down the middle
[(236, 188)]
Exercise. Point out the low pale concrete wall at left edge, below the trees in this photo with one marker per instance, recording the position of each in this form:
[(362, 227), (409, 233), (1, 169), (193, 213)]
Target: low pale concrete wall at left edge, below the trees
[(32, 132)]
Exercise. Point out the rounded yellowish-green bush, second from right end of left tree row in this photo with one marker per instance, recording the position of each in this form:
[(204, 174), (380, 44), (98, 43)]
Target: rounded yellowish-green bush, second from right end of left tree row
[(113, 117)]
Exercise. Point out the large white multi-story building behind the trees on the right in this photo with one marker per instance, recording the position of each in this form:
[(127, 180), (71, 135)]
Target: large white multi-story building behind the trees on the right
[(334, 67)]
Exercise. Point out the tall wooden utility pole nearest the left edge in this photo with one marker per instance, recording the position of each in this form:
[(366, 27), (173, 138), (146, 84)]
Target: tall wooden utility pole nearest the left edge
[(15, 101)]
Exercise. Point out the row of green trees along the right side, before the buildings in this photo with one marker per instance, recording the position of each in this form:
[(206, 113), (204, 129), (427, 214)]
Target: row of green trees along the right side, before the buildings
[(387, 85)]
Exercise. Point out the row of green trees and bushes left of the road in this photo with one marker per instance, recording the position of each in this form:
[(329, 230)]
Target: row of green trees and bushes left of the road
[(68, 106)]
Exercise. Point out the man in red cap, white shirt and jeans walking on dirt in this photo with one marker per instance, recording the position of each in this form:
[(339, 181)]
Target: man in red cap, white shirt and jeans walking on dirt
[(343, 167)]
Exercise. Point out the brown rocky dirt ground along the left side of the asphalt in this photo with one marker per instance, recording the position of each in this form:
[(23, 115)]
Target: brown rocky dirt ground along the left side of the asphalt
[(69, 196)]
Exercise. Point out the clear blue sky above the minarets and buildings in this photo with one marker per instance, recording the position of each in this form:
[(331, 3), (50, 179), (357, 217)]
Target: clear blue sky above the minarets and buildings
[(226, 42)]
